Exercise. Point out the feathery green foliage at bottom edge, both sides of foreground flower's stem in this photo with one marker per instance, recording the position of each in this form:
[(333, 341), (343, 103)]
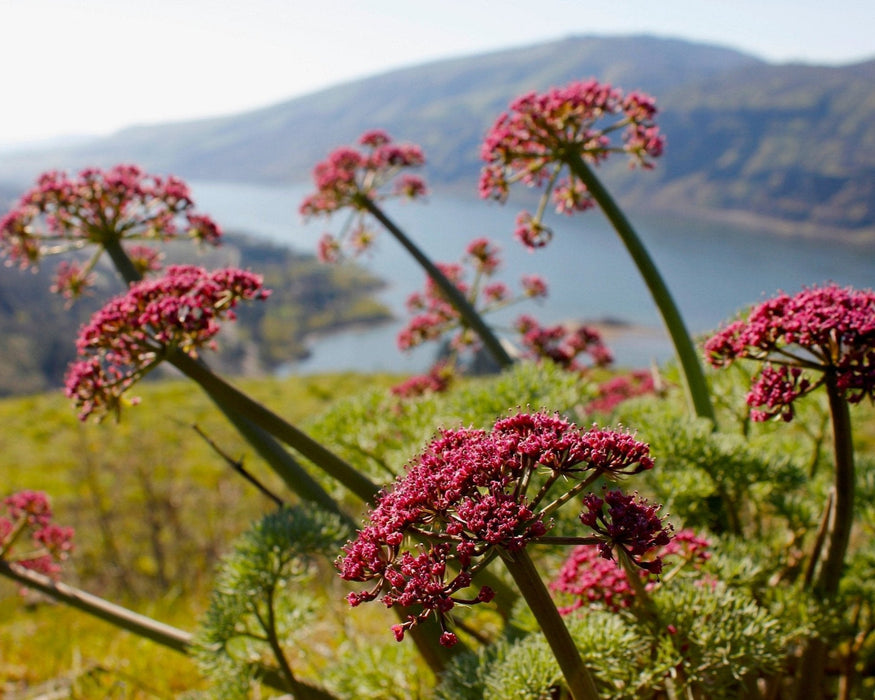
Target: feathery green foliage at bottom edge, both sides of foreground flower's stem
[(705, 641)]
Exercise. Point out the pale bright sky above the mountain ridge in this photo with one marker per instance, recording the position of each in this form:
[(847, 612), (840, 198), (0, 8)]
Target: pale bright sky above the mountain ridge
[(83, 67)]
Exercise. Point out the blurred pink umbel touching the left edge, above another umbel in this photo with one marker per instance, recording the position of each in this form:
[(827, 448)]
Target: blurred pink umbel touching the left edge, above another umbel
[(98, 207)]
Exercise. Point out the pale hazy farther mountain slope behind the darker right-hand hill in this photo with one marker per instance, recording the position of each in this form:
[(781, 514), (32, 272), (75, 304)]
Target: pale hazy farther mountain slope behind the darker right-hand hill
[(446, 106)]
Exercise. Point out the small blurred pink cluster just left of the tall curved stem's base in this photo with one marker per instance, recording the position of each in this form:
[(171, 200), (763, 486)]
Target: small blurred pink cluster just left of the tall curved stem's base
[(564, 345)]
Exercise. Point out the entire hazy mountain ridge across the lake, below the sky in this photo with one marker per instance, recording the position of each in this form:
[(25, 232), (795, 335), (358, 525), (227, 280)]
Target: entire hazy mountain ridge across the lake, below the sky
[(790, 146)]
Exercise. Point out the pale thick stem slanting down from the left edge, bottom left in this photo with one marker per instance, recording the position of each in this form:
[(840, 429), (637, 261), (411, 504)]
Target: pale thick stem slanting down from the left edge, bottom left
[(128, 620)]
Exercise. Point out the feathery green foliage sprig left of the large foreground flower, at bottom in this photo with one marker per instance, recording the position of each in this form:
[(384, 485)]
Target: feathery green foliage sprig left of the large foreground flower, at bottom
[(254, 610)]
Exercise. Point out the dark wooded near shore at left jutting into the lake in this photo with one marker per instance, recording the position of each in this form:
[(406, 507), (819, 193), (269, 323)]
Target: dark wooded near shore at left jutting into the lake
[(38, 329)]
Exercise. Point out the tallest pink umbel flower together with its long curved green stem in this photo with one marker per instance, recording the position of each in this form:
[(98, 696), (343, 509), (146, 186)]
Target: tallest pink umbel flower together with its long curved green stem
[(551, 140)]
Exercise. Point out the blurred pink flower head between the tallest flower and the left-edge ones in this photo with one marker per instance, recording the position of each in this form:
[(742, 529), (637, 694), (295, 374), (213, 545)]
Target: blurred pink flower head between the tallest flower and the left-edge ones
[(349, 177)]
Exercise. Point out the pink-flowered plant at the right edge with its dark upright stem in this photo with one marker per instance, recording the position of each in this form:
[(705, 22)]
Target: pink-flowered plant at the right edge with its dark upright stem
[(821, 337)]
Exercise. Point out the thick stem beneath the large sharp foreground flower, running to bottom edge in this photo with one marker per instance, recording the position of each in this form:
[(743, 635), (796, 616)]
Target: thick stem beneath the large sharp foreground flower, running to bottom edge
[(577, 675)]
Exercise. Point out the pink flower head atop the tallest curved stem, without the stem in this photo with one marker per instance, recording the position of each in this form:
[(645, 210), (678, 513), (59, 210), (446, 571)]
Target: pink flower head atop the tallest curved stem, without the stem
[(531, 142)]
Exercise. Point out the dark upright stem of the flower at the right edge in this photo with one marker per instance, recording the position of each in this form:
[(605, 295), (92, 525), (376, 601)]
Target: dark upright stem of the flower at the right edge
[(842, 514)]
